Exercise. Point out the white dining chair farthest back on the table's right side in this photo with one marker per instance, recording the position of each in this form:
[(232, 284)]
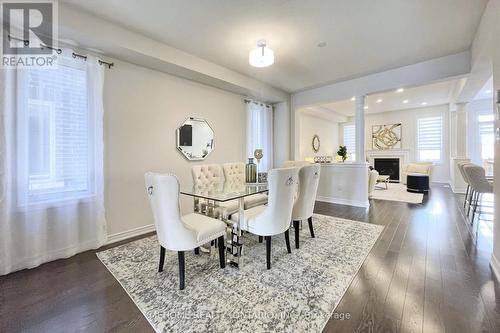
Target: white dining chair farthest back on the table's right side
[(304, 205)]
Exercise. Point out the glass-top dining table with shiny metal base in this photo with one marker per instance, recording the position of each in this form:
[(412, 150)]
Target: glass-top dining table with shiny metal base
[(219, 192)]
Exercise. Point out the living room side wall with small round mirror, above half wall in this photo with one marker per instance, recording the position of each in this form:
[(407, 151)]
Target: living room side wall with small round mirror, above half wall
[(328, 132)]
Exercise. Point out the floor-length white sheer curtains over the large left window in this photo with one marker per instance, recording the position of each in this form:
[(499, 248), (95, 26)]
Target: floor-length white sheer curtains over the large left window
[(51, 162)]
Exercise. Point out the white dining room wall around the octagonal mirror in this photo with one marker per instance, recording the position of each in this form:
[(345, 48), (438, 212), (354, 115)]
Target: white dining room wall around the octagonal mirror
[(143, 109)]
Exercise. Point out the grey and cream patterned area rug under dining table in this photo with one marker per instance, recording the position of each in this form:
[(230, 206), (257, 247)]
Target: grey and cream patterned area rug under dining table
[(298, 294)]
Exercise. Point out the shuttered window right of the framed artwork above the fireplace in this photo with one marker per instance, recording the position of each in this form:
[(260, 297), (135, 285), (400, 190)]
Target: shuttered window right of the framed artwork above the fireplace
[(429, 139)]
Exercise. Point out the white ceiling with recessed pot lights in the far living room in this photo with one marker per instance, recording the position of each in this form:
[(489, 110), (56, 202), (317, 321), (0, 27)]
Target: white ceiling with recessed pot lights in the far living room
[(432, 94)]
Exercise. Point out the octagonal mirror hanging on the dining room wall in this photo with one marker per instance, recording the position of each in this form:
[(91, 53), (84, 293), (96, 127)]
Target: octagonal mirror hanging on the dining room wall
[(195, 139)]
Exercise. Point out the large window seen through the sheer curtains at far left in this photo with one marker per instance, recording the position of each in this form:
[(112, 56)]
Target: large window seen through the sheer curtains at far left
[(54, 152)]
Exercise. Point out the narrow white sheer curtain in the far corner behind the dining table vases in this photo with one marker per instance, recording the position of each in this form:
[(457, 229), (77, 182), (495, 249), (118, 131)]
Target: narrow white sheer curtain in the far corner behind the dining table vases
[(260, 132)]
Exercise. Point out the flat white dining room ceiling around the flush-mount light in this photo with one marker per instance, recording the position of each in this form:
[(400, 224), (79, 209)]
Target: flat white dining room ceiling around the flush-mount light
[(362, 37)]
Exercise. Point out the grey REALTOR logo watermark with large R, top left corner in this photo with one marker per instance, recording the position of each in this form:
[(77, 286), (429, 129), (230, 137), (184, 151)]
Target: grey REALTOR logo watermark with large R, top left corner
[(29, 33)]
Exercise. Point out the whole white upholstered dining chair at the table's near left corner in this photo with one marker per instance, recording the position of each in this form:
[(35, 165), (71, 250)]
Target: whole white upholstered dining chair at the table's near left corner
[(176, 232)]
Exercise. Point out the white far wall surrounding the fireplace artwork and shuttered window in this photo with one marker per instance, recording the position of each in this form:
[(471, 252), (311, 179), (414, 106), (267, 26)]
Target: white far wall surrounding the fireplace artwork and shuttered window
[(408, 119)]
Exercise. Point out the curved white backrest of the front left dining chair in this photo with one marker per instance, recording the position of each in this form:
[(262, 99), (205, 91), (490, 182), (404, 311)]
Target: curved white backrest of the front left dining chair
[(163, 193)]
